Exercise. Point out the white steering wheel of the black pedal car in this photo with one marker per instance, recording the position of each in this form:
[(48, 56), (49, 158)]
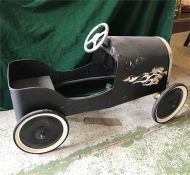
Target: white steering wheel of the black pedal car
[(94, 39)]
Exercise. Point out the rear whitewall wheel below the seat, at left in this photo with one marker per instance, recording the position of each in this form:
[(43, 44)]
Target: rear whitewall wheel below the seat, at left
[(41, 131)]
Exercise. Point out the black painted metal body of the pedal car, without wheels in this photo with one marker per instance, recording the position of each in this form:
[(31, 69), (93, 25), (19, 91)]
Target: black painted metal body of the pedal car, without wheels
[(126, 68)]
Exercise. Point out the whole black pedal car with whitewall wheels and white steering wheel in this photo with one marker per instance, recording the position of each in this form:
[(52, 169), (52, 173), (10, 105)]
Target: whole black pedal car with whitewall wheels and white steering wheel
[(121, 69)]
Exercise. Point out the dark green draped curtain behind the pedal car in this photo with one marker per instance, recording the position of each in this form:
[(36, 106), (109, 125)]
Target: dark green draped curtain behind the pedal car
[(54, 31)]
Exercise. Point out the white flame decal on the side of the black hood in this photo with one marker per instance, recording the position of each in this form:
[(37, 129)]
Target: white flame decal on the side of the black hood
[(148, 79)]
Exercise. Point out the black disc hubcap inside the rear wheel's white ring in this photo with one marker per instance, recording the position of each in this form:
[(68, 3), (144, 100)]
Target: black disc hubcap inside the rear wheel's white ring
[(41, 132)]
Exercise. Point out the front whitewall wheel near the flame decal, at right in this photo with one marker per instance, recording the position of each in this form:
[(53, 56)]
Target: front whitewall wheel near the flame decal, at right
[(169, 103)]
